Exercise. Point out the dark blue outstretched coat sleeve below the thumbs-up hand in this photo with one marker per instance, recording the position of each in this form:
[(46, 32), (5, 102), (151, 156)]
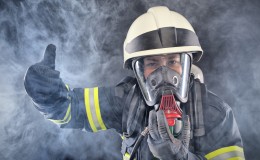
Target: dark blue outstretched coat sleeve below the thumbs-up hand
[(90, 109)]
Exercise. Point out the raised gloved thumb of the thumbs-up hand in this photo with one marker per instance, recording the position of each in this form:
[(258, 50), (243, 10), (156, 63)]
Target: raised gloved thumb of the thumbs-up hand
[(49, 56)]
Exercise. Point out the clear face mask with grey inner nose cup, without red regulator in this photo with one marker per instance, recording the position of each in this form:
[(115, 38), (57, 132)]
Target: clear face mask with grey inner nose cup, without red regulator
[(163, 74)]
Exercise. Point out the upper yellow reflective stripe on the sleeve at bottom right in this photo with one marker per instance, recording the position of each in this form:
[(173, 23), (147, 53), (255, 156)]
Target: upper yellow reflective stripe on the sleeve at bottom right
[(221, 151)]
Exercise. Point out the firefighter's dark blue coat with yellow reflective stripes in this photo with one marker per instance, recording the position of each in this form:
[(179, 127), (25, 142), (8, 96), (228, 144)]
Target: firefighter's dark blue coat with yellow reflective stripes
[(214, 131)]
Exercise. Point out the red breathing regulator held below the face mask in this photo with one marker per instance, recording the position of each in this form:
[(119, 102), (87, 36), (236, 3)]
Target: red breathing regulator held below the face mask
[(173, 113)]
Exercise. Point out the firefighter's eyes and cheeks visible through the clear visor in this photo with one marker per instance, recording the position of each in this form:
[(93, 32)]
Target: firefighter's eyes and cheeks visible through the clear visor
[(172, 61)]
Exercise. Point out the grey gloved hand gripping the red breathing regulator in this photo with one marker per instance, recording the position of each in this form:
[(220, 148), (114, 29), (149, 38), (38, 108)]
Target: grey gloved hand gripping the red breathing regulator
[(162, 143)]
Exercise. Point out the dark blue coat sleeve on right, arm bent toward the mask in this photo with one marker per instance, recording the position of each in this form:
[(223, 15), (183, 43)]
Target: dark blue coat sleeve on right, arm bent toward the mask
[(222, 139)]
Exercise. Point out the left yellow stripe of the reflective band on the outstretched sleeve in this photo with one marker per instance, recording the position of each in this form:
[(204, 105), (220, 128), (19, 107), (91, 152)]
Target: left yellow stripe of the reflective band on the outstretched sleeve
[(88, 111)]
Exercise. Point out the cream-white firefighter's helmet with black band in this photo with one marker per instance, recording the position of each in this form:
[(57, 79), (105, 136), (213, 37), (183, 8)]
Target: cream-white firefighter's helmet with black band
[(160, 31)]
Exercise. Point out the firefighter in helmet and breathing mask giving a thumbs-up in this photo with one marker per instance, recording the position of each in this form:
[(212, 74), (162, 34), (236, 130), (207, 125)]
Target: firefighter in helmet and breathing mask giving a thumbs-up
[(165, 112)]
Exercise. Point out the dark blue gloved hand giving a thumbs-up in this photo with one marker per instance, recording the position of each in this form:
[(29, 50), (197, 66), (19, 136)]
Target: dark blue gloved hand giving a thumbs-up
[(42, 82)]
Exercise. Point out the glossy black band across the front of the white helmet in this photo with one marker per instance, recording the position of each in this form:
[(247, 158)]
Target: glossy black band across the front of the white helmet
[(163, 38)]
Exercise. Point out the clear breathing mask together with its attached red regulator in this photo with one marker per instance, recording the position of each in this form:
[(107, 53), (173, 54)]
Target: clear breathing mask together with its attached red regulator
[(164, 83)]
